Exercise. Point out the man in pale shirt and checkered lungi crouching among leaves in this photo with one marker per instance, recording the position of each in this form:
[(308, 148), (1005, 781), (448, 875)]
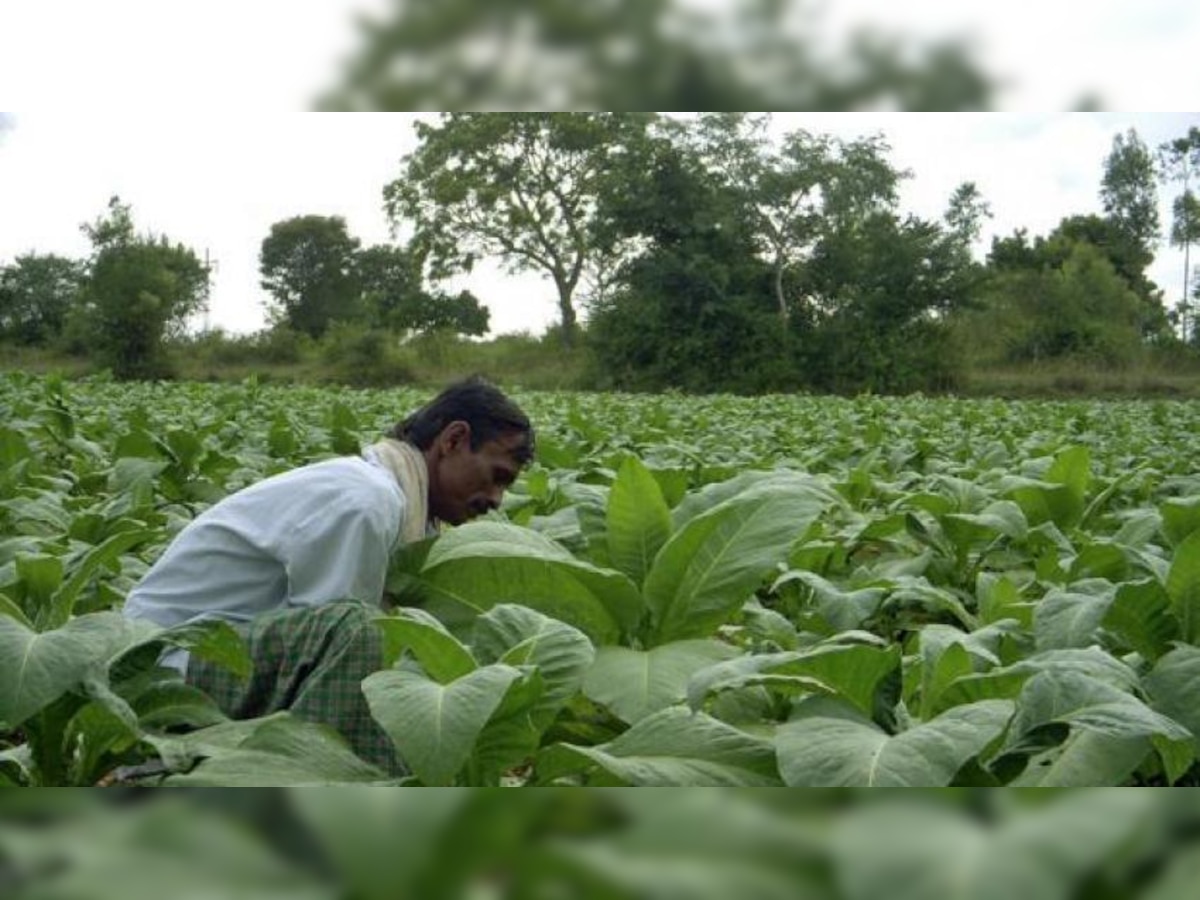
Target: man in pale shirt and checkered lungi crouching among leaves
[(298, 562)]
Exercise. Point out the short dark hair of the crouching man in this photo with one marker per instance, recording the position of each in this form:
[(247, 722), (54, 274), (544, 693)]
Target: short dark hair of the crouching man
[(482, 405)]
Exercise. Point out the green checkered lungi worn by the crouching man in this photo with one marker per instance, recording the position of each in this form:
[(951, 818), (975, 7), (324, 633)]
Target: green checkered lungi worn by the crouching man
[(310, 662)]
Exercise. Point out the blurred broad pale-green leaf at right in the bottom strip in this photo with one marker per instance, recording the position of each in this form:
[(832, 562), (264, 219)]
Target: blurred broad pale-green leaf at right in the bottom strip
[(910, 850)]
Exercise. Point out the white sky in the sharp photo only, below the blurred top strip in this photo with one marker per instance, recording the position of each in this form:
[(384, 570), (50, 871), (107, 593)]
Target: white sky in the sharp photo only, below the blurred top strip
[(219, 182)]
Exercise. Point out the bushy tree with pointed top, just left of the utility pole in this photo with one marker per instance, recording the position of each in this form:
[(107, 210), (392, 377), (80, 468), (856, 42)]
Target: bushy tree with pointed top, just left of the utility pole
[(140, 290)]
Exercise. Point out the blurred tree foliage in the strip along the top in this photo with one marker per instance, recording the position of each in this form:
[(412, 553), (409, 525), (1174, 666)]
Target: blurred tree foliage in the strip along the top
[(645, 55)]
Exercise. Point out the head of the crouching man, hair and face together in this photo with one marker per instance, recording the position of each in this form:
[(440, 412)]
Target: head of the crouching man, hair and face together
[(476, 442)]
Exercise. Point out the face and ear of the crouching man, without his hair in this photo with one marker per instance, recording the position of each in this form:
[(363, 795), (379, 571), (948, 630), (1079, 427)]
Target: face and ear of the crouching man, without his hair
[(466, 483)]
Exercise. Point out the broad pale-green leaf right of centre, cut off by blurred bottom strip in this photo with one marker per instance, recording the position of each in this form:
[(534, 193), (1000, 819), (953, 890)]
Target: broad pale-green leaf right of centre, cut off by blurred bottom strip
[(842, 753)]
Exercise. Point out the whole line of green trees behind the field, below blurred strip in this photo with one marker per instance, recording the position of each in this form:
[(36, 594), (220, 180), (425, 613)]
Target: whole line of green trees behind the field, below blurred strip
[(699, 254)]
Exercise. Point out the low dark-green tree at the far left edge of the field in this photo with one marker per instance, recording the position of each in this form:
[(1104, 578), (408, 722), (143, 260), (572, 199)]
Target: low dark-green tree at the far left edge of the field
[(37, 295)]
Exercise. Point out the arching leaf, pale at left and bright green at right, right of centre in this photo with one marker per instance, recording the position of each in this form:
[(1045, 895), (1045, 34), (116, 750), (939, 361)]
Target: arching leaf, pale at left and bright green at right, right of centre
[(853, 673)]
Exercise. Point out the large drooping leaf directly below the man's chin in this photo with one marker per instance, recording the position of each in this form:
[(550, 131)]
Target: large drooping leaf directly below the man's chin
[(478, 566)]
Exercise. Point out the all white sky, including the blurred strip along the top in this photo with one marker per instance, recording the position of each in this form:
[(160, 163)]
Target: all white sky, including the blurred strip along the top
[(187, 111)]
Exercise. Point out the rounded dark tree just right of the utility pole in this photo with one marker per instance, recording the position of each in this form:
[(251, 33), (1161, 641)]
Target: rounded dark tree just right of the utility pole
[(308, 266)]
